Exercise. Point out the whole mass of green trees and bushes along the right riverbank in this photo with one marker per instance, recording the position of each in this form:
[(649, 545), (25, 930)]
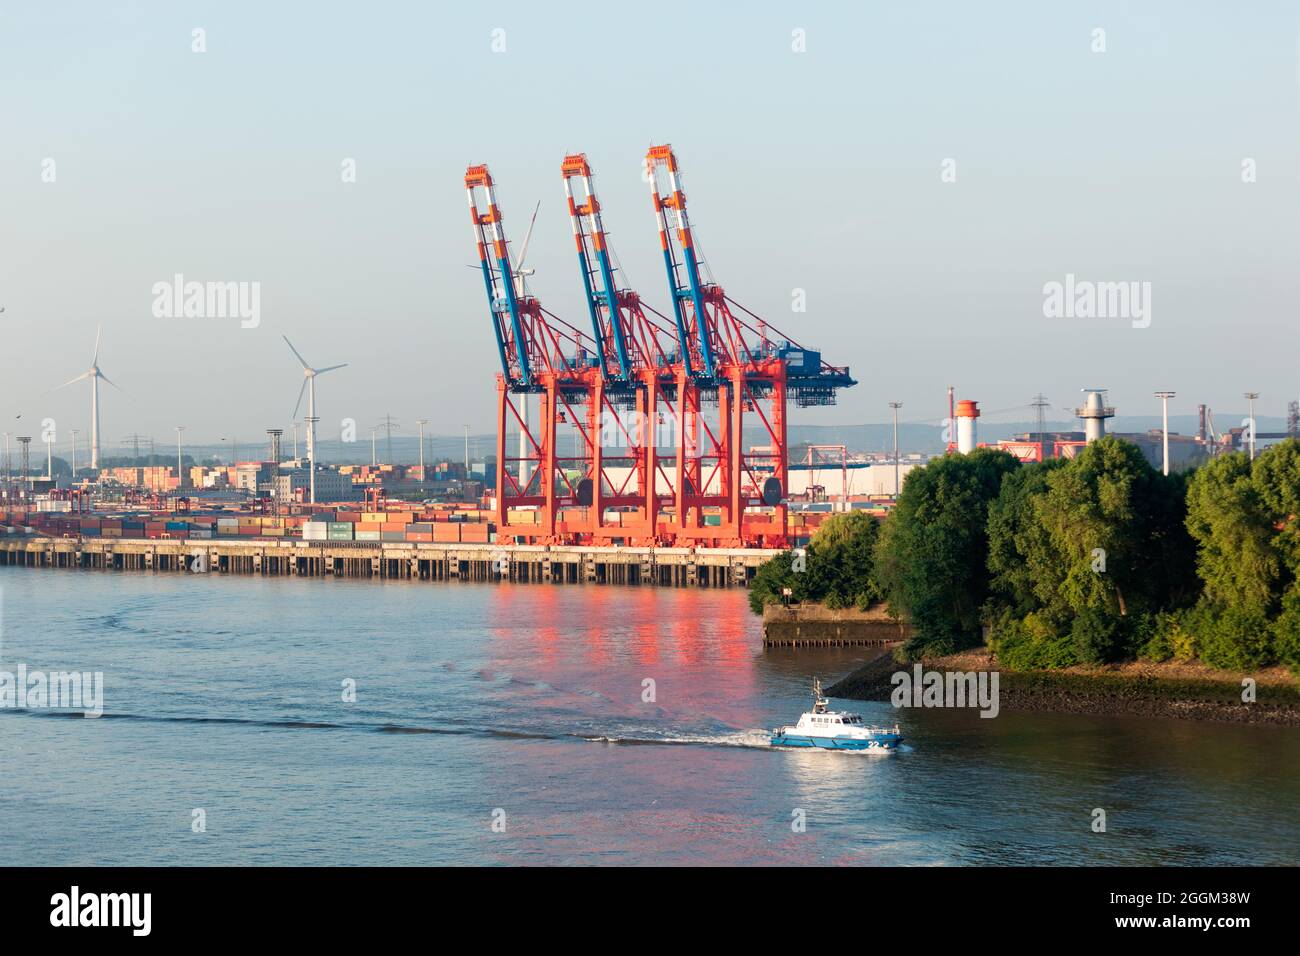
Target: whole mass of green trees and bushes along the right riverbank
[(1085, 561)]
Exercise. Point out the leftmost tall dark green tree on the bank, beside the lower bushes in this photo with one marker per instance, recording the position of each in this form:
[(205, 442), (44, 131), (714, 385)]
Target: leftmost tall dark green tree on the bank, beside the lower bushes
[(933, 556)]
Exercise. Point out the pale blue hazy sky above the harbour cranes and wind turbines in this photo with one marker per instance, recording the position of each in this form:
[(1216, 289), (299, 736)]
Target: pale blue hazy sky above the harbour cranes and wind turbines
[(821, 171)]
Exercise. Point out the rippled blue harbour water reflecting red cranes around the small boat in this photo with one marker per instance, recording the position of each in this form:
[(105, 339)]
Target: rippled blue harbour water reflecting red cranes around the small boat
[(528, 707)]
